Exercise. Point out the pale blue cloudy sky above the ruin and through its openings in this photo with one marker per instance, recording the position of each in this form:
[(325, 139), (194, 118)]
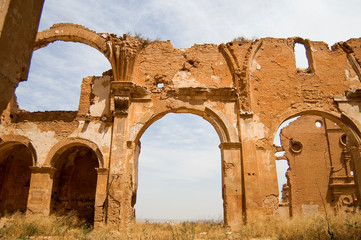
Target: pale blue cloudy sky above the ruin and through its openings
[(164, 183)]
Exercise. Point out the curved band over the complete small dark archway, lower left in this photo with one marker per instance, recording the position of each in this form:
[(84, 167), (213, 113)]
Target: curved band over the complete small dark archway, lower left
[(64, 145)]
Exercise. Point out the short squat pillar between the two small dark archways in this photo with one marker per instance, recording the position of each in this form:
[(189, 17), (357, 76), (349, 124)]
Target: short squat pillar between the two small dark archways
[(41, 186)]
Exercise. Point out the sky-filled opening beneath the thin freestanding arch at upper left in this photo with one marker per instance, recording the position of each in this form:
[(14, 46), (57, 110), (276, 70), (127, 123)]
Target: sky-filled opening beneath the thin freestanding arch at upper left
[(54, 82)]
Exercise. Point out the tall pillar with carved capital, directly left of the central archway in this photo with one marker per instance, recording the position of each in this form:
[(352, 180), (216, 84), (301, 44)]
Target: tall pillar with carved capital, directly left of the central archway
[(120, 209)]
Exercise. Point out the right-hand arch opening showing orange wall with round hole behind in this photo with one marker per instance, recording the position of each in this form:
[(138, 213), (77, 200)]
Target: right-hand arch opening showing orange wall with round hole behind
[(318, 155)]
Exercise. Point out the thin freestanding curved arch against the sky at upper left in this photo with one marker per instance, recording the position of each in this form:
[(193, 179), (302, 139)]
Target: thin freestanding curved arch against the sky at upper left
[(70, 32)]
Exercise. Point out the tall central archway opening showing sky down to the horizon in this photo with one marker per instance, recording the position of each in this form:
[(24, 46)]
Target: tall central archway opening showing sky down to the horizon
[(179, 170)]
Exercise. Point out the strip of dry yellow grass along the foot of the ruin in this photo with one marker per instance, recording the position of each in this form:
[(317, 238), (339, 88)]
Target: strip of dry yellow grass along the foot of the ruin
[(341, 226)]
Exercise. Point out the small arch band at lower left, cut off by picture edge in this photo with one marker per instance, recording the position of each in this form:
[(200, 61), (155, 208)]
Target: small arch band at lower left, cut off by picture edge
[(8, 141)]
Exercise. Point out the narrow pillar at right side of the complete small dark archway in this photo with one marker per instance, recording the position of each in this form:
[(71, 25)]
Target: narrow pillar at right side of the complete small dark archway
[(100, 197)]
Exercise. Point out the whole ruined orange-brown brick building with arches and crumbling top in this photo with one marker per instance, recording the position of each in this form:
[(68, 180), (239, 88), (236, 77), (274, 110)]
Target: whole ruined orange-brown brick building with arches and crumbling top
[(87, 160)]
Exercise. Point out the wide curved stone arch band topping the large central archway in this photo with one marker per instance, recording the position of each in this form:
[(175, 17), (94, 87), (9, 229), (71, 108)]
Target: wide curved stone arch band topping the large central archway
[(218, 120)]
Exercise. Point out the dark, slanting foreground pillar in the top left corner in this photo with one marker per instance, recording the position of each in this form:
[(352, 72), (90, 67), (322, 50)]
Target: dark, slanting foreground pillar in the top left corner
[(19, 22)]
